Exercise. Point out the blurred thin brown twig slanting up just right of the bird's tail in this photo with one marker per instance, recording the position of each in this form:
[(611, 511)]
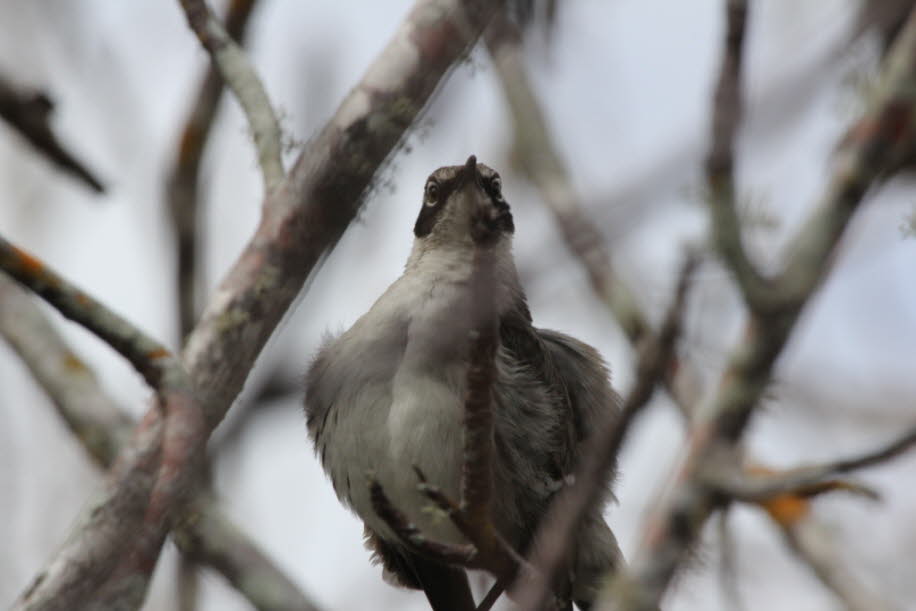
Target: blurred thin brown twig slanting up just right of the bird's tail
[(557, 531)]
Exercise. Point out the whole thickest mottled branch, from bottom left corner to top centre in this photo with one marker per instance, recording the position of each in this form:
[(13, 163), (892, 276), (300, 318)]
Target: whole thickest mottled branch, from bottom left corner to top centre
[(303, 217)]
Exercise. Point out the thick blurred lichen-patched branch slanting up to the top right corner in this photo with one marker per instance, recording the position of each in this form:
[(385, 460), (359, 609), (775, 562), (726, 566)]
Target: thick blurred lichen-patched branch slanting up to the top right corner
[(869, 158)]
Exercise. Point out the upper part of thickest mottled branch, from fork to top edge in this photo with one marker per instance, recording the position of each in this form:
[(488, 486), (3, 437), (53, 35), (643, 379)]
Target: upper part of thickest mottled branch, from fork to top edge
[(305, 216)]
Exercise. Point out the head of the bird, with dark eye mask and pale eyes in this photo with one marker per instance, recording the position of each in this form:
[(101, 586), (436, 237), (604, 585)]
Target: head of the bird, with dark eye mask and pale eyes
[(464, 205)]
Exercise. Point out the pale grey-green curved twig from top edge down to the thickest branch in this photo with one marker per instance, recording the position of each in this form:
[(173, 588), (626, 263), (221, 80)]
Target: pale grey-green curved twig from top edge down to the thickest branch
[(245, 83)]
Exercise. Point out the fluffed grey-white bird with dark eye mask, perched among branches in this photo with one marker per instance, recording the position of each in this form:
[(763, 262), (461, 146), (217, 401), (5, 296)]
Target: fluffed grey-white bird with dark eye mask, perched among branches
[(386, 397)]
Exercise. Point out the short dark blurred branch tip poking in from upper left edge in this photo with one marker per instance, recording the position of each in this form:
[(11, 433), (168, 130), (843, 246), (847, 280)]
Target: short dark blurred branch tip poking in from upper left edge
[(29, 113)]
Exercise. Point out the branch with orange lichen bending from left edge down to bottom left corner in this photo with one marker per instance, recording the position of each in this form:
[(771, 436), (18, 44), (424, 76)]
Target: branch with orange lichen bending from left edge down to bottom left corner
[(150, 481)]
